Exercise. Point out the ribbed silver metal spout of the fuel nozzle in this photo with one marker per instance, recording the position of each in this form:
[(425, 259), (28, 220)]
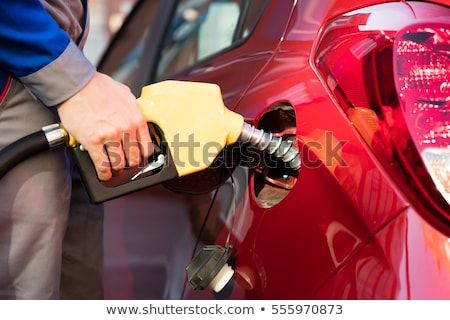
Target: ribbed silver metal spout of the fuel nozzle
[(284, 150)]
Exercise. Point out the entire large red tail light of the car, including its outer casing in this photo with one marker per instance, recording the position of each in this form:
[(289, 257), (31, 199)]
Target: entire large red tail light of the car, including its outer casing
[(393, 82)]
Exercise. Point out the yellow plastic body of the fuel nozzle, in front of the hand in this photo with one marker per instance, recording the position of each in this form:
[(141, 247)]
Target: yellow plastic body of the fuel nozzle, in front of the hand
[(194, 120)]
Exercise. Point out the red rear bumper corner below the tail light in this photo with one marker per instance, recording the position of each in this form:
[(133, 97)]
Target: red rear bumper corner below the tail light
[(408, 259)]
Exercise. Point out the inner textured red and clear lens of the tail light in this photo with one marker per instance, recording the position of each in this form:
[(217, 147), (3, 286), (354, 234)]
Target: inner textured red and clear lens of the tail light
[(422, 79)]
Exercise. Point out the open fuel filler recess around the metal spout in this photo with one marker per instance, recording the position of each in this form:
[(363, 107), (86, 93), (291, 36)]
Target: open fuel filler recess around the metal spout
[(273, 179)]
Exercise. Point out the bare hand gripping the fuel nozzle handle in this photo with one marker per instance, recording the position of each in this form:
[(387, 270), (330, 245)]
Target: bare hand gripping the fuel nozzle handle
[(105, 119)]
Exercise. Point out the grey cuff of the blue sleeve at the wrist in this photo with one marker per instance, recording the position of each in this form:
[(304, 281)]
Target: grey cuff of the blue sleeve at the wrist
[(62, 78)]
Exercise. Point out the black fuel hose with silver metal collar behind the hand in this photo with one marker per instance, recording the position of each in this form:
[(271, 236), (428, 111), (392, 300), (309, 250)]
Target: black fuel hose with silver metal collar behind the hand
[(32, 144)]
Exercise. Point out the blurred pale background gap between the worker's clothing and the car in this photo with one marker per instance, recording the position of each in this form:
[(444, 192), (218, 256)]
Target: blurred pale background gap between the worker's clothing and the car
[(106, 18)]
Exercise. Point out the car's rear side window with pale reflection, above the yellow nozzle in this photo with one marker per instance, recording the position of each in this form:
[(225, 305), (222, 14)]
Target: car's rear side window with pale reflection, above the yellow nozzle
[(201, 28)]
